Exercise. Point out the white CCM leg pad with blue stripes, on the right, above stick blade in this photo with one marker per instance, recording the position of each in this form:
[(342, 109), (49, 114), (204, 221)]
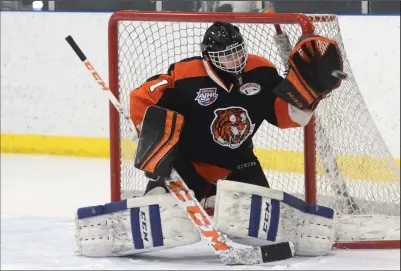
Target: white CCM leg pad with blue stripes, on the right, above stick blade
[(254, 215)]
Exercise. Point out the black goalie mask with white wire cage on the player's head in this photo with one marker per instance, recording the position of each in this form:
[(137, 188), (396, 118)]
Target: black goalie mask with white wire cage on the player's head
[(224, 46)]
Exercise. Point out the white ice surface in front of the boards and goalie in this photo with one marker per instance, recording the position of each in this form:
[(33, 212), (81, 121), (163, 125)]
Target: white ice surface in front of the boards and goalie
[(39, 195)]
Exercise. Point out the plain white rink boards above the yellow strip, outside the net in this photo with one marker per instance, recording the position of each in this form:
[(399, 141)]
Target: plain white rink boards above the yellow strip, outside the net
[(45, 89)]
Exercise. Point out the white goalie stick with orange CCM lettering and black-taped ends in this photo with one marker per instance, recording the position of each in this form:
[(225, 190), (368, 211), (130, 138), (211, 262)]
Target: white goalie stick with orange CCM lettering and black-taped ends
[(201, 220)]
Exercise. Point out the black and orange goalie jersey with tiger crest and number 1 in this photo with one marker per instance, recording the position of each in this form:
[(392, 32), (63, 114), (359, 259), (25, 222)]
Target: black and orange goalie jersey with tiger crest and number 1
[(221, 117)]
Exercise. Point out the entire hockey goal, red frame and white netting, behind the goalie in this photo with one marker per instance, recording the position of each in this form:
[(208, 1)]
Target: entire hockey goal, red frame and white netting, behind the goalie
[(338, 160)]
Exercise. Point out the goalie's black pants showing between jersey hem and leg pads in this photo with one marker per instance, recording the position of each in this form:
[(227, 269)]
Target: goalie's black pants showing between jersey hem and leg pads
[(250, 172)]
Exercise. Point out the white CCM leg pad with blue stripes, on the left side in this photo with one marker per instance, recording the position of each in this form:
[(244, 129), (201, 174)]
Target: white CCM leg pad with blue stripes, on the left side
[(132, 226)]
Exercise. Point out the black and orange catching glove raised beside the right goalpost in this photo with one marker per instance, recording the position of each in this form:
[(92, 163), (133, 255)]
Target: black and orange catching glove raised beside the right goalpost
[(313, 65)]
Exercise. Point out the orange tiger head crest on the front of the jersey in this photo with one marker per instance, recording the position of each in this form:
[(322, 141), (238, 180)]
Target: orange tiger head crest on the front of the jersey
[(231, 126)]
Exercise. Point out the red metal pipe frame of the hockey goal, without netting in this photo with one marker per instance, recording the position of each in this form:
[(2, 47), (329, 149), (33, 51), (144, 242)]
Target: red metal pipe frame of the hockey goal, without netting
[(269, 18)]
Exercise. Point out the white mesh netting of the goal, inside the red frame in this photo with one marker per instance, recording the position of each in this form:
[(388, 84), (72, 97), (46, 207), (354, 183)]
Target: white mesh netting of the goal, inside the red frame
[(355, 172)]
